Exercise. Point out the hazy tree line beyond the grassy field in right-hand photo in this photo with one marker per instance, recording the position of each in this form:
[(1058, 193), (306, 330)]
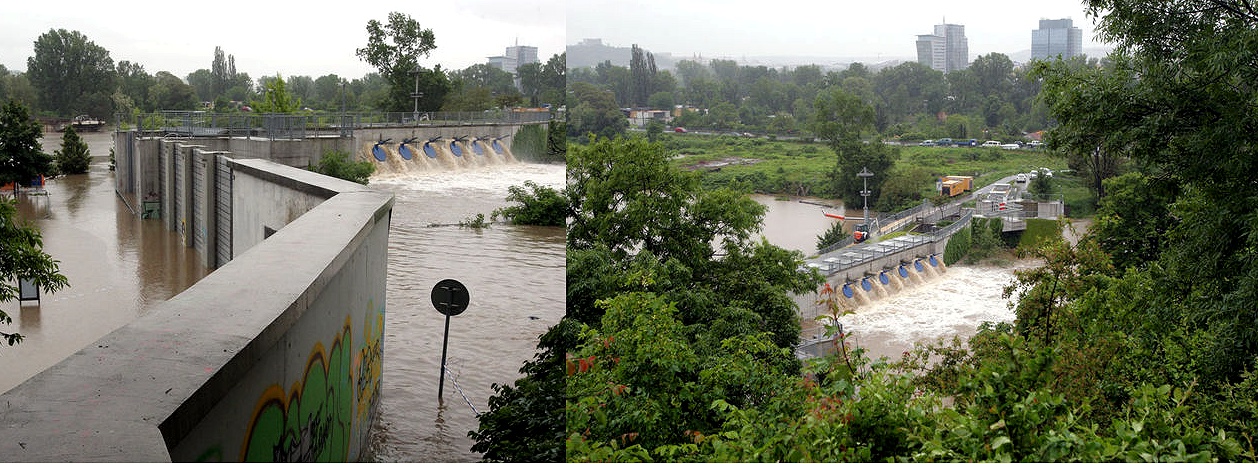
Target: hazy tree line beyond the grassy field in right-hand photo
[(992, 100)]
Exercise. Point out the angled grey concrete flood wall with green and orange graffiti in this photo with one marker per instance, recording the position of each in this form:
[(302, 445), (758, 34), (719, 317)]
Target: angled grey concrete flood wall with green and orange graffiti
[(274, 356)]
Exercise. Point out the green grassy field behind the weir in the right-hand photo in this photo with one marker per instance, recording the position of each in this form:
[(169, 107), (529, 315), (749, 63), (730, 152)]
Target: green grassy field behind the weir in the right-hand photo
[(799, 168)]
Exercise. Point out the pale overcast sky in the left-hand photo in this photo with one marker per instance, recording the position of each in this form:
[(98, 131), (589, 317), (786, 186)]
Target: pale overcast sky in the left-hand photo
[(306, 38)]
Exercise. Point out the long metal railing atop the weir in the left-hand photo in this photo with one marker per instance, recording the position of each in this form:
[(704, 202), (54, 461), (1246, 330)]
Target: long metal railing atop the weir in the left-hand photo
[(201, 124)]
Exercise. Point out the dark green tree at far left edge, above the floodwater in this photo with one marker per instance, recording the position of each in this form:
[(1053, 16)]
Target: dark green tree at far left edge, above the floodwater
[(22, 158)]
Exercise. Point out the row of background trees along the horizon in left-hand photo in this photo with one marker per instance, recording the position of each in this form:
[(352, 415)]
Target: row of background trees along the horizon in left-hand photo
[(71, 76)]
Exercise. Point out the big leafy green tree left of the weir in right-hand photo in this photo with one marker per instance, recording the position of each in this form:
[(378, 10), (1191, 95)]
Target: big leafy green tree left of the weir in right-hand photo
[(672, 326)]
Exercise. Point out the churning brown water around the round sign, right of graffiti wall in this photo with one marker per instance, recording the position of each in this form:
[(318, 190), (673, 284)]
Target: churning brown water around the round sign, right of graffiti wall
[(516, 281)]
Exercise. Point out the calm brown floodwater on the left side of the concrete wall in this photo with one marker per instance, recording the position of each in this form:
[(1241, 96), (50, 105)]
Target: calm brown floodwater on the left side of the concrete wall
[(118, 266)]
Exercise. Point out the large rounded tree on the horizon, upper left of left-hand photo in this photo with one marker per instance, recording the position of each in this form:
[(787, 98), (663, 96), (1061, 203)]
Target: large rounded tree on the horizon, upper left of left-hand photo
[(72, 75)]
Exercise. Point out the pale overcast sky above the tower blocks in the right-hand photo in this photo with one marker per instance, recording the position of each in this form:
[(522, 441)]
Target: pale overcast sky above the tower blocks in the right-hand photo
[(804, 28)]
